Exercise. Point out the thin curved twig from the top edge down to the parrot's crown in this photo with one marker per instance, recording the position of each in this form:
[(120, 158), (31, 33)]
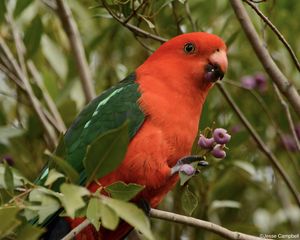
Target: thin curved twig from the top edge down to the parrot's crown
[(133, 28)]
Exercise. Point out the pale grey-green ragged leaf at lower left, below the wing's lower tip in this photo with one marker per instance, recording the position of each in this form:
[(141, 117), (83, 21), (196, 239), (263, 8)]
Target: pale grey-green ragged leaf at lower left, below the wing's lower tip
[(48, 204)]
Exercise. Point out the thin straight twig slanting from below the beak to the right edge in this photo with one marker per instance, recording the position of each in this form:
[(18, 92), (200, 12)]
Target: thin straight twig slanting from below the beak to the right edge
[(262, 146)]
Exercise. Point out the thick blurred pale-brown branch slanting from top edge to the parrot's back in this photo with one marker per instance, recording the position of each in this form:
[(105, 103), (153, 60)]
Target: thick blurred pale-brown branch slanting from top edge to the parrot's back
[(73, 35)]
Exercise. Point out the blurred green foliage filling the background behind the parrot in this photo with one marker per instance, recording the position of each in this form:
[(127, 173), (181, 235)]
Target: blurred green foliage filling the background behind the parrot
[(241, 192)]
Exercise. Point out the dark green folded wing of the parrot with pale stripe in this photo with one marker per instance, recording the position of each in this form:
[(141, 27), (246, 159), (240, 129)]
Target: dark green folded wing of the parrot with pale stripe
[(108, 111)]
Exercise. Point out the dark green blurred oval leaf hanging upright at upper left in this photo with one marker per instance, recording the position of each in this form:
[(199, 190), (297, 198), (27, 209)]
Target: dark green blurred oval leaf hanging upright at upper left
[(33, 36)]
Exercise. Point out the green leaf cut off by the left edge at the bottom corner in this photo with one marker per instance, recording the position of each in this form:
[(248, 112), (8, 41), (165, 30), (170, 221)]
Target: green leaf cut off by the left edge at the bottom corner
[(11, 222)]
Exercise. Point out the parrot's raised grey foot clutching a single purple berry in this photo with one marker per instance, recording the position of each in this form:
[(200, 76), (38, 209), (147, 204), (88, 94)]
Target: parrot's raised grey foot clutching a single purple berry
[(184, 164)]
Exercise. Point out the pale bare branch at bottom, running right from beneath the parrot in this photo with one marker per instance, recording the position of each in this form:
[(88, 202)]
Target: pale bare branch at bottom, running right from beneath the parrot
[(194, 222)]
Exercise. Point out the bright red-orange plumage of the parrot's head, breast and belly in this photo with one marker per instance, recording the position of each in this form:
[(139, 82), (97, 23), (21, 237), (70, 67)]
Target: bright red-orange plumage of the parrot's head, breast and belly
[(173, 87)]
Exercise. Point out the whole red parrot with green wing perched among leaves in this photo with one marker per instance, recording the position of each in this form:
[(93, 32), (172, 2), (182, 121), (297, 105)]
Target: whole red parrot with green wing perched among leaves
[(162, 101)]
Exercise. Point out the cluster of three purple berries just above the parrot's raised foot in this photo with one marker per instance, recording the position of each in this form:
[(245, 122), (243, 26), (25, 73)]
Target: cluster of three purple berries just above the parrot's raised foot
[(215, 144)]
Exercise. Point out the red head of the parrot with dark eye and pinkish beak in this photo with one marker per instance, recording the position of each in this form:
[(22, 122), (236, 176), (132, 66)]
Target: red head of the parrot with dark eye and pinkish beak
[(199, 57)]
